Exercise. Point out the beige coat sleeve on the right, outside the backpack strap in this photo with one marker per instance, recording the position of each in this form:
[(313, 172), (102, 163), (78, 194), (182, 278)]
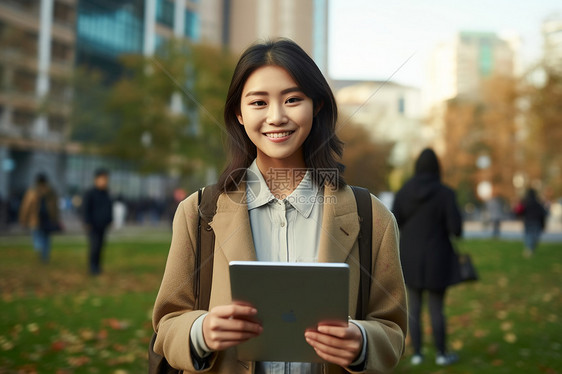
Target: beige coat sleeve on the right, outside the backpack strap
[(386, 322)]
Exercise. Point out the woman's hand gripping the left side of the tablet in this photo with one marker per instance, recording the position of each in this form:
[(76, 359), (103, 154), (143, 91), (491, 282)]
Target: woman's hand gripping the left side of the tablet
[(228, 325)]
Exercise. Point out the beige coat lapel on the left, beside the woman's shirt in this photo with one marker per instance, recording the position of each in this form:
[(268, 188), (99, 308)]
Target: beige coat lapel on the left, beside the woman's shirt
[(231, 224)]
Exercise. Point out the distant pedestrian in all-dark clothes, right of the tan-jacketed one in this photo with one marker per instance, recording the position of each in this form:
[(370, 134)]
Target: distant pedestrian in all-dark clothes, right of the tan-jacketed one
[(98, 215)]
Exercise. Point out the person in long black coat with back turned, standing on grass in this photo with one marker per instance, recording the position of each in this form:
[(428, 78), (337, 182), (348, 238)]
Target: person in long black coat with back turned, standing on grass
[(427, 215)]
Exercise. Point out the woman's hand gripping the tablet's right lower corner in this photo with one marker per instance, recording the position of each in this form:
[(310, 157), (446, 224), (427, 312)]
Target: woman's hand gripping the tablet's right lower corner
[(337, 344)]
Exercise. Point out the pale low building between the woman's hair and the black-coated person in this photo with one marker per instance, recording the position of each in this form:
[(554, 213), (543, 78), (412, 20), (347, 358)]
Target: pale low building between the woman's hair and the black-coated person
[(389, 111)]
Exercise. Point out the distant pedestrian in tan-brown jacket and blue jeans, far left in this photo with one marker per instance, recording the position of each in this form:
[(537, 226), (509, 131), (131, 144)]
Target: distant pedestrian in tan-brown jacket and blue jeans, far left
[(40, 213)]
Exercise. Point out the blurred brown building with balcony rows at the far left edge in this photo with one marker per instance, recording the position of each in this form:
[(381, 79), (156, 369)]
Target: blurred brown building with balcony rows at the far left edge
[(37, 51)]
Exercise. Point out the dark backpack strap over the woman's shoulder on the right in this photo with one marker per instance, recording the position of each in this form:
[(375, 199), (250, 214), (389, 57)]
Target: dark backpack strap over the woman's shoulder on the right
[(364, 210)]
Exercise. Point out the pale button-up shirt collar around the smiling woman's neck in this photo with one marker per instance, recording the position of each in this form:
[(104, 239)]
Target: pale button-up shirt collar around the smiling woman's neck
[(302, 198)]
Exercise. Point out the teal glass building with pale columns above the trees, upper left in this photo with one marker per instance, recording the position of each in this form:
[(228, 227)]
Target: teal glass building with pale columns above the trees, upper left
[(107, 29)]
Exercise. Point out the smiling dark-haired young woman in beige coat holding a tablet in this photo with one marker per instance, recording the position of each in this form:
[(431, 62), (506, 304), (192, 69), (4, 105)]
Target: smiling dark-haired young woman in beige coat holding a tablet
[(282, 199)]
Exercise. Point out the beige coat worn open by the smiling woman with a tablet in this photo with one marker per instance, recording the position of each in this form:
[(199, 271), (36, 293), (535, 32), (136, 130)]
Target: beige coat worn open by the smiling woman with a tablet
[(387, 318)]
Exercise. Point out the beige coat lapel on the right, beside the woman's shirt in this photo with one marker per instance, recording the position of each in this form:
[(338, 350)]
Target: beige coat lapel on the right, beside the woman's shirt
[(340, 225)]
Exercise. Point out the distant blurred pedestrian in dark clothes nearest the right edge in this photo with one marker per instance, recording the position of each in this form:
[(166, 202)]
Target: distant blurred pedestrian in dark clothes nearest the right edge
[(534, 219)]
